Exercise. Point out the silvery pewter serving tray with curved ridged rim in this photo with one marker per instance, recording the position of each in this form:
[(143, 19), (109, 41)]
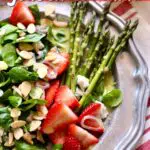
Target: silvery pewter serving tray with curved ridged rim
[(125, 124)]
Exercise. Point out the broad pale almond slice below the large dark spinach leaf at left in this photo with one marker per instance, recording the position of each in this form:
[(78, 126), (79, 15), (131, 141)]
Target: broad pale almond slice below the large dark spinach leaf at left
[(25, 88)]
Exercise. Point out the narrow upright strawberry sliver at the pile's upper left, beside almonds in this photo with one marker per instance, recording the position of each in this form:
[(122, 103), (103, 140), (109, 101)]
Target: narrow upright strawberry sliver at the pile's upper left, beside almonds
[(51, 92)]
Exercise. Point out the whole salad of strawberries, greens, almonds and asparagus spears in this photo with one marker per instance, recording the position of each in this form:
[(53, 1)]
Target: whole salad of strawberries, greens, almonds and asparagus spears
[(56, 77)]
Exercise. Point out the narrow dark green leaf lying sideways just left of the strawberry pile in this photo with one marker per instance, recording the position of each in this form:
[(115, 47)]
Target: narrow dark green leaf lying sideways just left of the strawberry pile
[(28, 104)]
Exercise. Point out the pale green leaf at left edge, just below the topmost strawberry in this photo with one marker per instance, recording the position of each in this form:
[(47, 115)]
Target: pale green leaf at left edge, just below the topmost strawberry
[(8, 28)]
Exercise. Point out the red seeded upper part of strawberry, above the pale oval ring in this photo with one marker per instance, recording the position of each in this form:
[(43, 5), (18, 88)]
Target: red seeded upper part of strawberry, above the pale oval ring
[(92, 109)]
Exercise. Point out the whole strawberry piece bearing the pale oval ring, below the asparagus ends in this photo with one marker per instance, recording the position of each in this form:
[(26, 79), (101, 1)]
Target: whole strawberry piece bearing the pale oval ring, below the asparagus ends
[(90, 118)]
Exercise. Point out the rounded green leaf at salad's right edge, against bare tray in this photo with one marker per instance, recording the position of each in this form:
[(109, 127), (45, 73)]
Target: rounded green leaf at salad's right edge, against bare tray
[(112, 98)]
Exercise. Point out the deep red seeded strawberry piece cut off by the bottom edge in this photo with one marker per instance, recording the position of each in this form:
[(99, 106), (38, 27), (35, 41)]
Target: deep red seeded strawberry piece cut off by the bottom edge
[(71, 143)]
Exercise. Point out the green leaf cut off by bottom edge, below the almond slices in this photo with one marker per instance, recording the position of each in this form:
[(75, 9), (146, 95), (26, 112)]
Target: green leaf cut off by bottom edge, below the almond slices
[(21, 145)]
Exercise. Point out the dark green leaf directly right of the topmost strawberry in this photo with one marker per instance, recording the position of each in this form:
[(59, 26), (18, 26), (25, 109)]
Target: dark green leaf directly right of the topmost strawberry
[(36, 12)]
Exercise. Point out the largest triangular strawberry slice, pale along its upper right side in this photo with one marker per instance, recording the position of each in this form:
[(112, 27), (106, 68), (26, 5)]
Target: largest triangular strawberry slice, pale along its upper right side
[(59, 115)]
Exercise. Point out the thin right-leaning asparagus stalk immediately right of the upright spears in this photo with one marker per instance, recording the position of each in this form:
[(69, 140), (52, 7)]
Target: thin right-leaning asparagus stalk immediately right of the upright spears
[(86, 38)]
